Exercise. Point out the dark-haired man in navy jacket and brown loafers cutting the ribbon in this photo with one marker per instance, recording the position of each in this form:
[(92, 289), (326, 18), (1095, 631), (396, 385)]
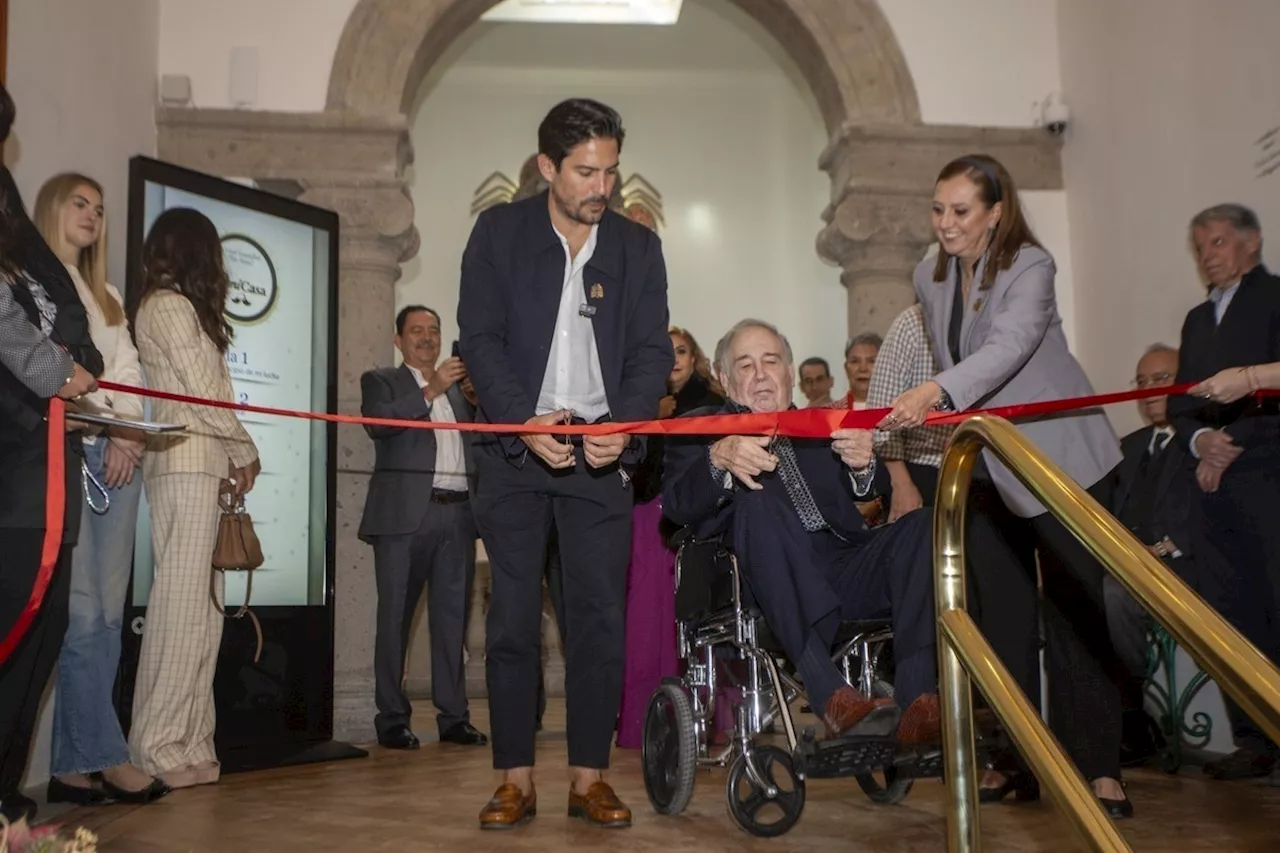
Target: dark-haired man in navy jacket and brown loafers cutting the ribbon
[(564, 318)]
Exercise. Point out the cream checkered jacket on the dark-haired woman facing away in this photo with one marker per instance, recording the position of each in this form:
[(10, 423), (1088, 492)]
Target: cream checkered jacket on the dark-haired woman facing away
[(177, 357)]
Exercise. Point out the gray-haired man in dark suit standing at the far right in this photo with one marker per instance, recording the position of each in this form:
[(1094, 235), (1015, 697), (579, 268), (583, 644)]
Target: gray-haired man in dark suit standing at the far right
[(1237, 446)]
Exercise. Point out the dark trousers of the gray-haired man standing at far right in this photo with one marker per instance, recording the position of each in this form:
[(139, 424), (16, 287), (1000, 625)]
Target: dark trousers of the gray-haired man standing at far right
[(1242, 527)]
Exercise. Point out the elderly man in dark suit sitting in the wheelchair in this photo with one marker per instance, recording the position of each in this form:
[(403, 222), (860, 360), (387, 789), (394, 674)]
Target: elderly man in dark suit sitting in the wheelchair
[(790, 510)]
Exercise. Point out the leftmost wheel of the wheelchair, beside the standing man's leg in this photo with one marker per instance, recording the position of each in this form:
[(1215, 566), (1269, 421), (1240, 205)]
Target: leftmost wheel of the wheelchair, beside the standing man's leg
[(670, 752)]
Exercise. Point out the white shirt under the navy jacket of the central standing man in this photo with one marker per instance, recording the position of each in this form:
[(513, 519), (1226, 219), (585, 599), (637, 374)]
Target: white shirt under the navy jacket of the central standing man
[(574, 380)]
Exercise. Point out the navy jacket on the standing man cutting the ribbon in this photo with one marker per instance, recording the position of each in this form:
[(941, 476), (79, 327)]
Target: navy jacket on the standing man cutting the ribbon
[(513, 276)]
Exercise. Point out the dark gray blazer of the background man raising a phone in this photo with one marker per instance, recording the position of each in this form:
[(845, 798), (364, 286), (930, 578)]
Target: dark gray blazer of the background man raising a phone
[(400, 490)]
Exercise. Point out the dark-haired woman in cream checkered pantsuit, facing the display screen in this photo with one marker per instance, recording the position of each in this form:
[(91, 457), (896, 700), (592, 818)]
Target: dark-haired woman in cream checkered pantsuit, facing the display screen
[(182, 339)]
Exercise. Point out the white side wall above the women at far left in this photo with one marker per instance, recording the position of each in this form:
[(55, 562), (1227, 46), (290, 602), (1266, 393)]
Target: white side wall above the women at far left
[(83, 74)]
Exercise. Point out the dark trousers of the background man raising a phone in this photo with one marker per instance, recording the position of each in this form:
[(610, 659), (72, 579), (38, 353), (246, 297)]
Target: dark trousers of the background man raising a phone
[(442, 559)]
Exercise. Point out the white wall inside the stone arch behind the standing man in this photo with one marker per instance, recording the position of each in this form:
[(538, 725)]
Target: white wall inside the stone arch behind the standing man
[(732, 150)]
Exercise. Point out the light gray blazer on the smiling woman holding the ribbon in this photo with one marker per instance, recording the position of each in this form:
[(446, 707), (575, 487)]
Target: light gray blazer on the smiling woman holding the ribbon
[(1013, 352)]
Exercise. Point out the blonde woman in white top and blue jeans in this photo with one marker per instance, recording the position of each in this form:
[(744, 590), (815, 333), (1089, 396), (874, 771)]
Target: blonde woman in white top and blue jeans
[(90, 756)]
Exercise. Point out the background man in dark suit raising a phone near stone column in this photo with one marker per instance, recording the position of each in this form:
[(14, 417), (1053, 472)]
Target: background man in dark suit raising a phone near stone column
[(418, 517)]
